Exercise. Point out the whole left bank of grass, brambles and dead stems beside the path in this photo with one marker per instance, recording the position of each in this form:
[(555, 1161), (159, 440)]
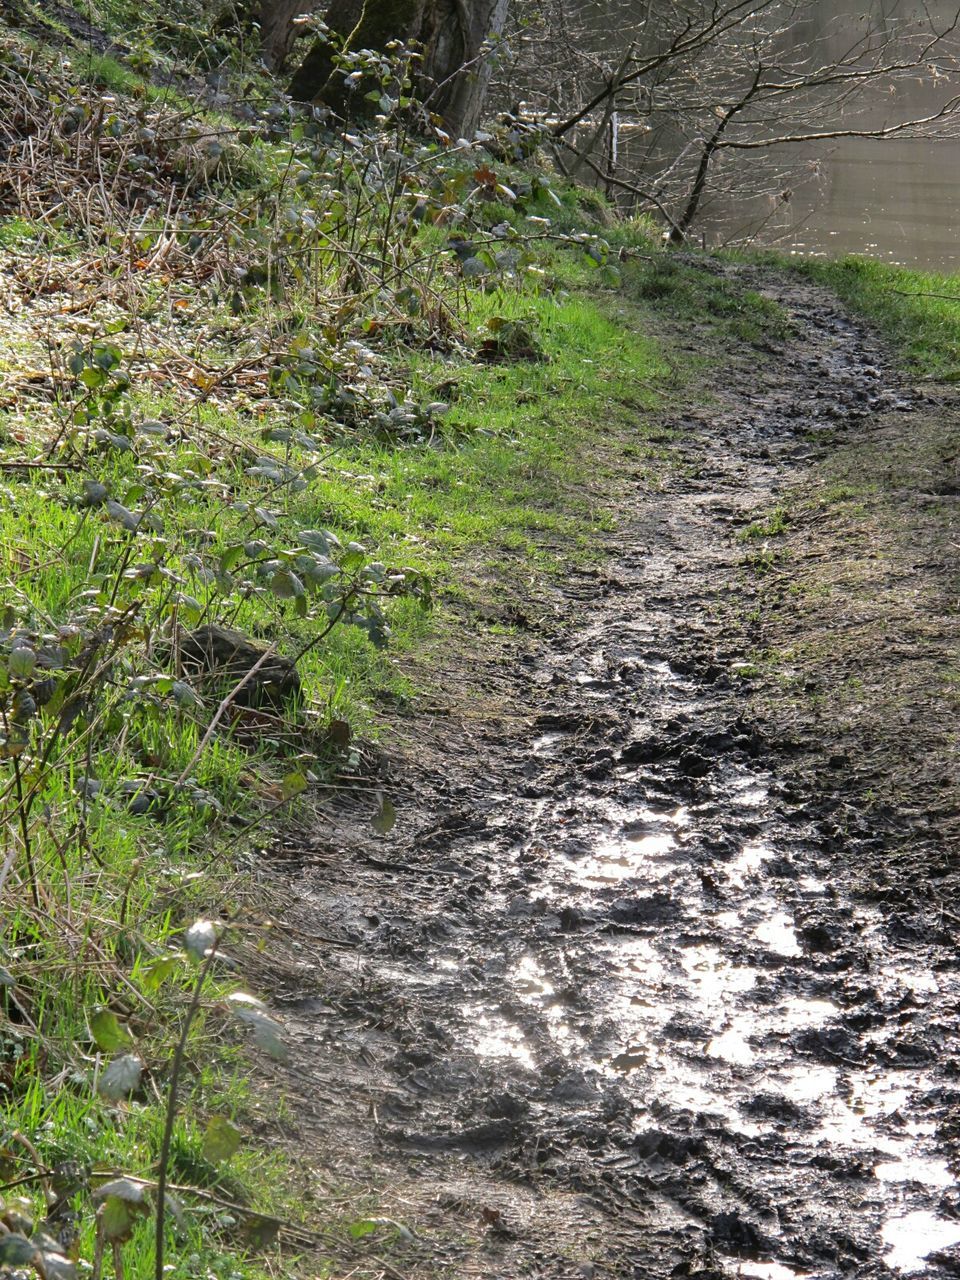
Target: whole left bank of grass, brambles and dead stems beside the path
[(273, 392)]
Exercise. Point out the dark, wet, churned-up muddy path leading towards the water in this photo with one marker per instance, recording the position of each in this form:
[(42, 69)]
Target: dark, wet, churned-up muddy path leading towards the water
[(607, 1003)]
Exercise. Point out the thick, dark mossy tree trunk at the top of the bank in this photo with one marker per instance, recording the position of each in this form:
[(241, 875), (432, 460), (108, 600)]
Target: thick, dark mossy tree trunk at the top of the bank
[(455, 76)]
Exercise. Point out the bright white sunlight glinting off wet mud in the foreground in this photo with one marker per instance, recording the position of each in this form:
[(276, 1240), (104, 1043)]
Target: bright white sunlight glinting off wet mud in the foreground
[(707, 1021)]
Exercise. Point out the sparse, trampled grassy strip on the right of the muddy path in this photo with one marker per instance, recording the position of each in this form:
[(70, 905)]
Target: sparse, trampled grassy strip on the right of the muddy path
[(852, 598)]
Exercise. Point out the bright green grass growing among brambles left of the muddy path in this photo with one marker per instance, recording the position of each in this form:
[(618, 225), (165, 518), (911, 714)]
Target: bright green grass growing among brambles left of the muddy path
[(515, 477)]
